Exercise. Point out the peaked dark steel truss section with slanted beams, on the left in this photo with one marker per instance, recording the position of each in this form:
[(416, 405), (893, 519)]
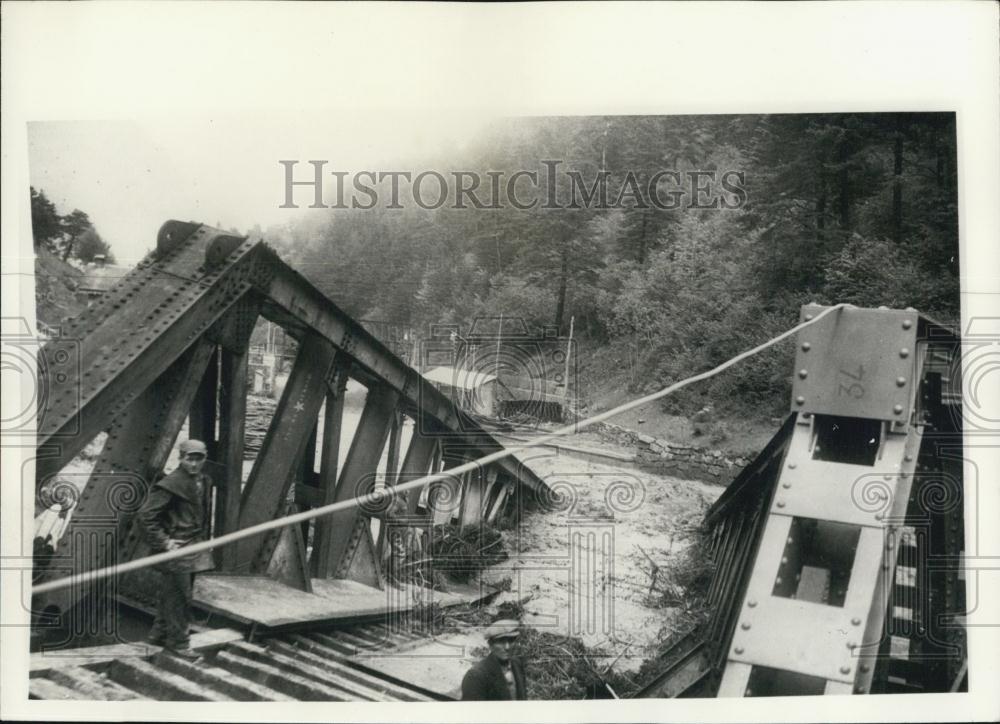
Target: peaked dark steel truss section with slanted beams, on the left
[(170, 341)]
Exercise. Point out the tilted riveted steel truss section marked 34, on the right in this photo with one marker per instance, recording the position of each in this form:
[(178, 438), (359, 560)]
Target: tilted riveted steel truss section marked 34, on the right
[(808, 537)]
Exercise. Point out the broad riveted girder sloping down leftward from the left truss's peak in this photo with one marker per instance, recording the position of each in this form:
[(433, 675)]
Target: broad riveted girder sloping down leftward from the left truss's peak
[(131, 336)]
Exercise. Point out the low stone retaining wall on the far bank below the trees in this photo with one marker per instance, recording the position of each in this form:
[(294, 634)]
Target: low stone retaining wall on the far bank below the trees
[(683, 461)]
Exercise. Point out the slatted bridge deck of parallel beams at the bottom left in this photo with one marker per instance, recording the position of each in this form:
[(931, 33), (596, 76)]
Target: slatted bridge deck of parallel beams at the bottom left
[(313, 666)]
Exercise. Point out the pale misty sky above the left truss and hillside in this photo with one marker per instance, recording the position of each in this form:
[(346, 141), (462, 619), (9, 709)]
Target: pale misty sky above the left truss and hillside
[(130, 177)]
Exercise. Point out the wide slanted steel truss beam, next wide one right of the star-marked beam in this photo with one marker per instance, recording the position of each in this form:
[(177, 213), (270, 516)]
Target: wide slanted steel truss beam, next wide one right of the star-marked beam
[(358, 474)]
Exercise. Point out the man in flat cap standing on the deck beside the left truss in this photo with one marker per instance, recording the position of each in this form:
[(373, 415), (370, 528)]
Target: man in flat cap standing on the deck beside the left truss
[(172, 517)]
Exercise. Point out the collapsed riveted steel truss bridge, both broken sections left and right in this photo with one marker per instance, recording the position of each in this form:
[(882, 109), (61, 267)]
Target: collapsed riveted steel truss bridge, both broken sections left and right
[(836, 550)]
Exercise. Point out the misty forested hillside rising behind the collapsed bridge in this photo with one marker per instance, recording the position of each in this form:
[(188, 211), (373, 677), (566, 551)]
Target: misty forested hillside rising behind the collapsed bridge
[(857, 208)]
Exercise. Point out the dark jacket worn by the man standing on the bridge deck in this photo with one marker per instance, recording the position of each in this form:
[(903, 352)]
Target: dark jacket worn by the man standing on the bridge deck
[(175, 509)]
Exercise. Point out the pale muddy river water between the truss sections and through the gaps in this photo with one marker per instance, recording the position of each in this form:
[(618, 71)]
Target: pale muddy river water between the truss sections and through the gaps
[(582, 568)]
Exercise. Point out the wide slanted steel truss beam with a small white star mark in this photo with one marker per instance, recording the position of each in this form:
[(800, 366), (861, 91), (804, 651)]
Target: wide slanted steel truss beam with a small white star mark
[(266, 490)]
